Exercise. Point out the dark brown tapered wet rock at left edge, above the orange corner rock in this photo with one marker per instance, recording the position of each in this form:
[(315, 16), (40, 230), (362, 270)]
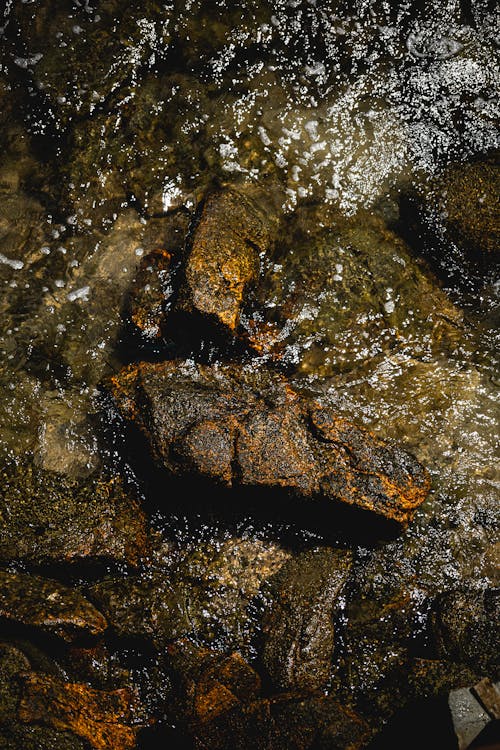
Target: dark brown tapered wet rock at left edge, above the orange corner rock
[(48, 605)]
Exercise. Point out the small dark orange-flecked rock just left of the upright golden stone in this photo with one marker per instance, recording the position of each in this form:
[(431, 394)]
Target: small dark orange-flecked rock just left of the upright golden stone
[(150, 294)]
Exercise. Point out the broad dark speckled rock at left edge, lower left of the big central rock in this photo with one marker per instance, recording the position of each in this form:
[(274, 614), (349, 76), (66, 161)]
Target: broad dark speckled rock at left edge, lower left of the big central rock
[(47, 518)]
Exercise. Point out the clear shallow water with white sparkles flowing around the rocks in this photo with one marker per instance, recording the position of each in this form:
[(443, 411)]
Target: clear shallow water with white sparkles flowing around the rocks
[(115, 121)]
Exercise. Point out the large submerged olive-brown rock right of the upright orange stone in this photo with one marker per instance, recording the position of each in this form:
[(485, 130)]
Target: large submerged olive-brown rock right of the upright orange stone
[(340, 292)]
